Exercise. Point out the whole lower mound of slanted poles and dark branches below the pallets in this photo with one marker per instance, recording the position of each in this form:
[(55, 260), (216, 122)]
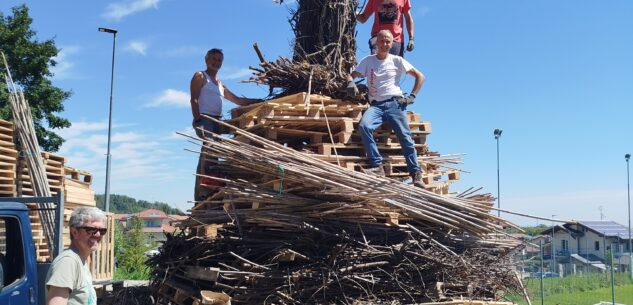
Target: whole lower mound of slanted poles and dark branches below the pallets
[(325, 235)]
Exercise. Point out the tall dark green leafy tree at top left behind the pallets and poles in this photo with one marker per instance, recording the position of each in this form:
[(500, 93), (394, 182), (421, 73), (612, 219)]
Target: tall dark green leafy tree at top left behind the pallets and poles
[(29, 61)]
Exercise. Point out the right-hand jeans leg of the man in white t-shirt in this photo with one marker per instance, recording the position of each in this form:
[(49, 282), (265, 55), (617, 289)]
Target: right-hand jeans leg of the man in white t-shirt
[(397, 118)]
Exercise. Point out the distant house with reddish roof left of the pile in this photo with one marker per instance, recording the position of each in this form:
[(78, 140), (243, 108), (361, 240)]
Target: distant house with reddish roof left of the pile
[(154, 223)]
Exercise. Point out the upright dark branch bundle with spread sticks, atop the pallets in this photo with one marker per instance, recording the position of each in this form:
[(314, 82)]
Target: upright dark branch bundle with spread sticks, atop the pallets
[(324, 51)]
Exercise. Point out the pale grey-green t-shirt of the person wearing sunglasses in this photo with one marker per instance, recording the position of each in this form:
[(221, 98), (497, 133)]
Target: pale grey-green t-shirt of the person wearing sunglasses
[(69, 271)]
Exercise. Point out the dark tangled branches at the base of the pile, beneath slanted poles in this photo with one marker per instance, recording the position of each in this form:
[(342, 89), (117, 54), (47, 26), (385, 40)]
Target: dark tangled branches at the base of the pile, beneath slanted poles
[(330, 262)]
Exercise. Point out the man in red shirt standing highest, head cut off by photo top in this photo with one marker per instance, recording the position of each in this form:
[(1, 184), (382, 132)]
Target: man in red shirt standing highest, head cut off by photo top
[(388, 15)]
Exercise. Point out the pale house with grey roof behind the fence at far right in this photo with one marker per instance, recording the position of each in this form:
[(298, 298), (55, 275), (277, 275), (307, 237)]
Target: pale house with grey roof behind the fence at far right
[(585, 246)]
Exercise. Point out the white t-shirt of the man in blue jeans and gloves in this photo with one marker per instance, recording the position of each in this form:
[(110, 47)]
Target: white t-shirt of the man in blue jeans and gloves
[(383, 76)]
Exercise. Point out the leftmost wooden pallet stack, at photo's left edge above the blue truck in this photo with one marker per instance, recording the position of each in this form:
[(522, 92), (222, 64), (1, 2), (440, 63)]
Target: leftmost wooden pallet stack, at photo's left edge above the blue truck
[(8, 160)]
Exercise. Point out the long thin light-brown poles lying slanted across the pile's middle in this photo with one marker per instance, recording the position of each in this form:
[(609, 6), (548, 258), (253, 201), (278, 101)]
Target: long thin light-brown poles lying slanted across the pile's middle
[(315, 188)]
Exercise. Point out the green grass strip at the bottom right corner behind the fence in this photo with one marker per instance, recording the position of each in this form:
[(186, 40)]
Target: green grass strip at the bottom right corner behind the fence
[(578, 290)]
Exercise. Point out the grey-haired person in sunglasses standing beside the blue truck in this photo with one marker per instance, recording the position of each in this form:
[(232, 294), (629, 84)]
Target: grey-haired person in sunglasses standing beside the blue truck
[(68, 281)]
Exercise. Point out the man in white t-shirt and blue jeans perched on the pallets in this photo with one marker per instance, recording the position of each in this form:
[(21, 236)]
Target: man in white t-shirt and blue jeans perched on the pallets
[(387, 103)]
